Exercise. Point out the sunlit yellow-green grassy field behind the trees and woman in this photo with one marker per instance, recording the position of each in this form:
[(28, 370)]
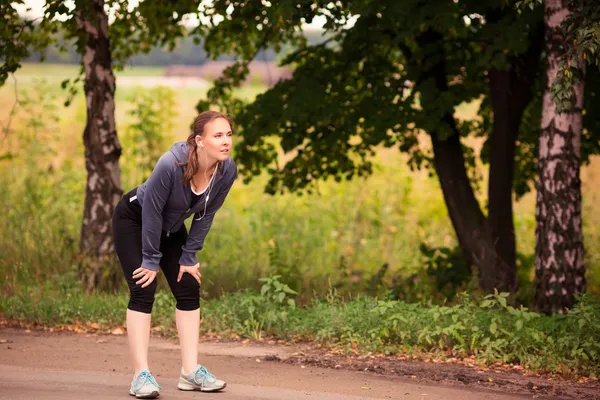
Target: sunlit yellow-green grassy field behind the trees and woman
[(337, 238)]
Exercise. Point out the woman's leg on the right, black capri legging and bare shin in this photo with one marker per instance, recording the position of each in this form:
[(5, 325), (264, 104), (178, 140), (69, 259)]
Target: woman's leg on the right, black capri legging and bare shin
[(187, 294)]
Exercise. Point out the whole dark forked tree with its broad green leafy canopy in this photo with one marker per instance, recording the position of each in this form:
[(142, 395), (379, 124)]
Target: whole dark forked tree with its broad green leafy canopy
[(399, 70)]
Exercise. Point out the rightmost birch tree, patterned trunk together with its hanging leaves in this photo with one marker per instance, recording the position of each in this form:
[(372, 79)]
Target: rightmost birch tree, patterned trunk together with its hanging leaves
[(572, 38)]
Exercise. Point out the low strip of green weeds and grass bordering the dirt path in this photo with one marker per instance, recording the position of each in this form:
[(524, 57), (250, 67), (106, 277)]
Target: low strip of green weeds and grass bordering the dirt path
[(489, 329)]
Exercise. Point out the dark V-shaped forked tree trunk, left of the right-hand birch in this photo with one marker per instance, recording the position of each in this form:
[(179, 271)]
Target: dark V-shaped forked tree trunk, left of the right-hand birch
[(488, 243)]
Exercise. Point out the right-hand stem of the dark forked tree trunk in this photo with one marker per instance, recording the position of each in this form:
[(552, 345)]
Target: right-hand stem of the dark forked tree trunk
[(510, 93)]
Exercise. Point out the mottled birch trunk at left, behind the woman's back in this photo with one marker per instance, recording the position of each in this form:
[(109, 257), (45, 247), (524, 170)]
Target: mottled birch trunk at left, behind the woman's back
[(102, 148)]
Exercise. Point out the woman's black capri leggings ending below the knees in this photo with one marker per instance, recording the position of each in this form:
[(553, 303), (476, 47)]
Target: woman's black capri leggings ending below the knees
[(127, 234)]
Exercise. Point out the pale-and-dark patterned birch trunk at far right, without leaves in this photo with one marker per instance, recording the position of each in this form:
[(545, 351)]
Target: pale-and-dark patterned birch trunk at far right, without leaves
[(559, 265)]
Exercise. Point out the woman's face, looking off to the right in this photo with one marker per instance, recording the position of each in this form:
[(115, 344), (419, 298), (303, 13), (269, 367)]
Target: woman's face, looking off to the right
[(216, 143)]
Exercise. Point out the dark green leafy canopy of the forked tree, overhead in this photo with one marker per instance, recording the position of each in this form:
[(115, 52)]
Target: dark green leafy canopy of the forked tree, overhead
[(370, 84)]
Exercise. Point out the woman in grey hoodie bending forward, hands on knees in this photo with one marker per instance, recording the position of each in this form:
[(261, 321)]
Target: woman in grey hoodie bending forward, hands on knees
[(194, 177)]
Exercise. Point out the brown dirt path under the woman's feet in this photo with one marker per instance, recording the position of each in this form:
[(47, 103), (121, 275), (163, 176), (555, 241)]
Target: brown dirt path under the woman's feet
[(73, 366)]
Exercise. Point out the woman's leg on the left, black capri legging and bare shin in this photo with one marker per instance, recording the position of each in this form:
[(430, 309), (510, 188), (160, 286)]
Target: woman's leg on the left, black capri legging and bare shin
[(127, 233)]
